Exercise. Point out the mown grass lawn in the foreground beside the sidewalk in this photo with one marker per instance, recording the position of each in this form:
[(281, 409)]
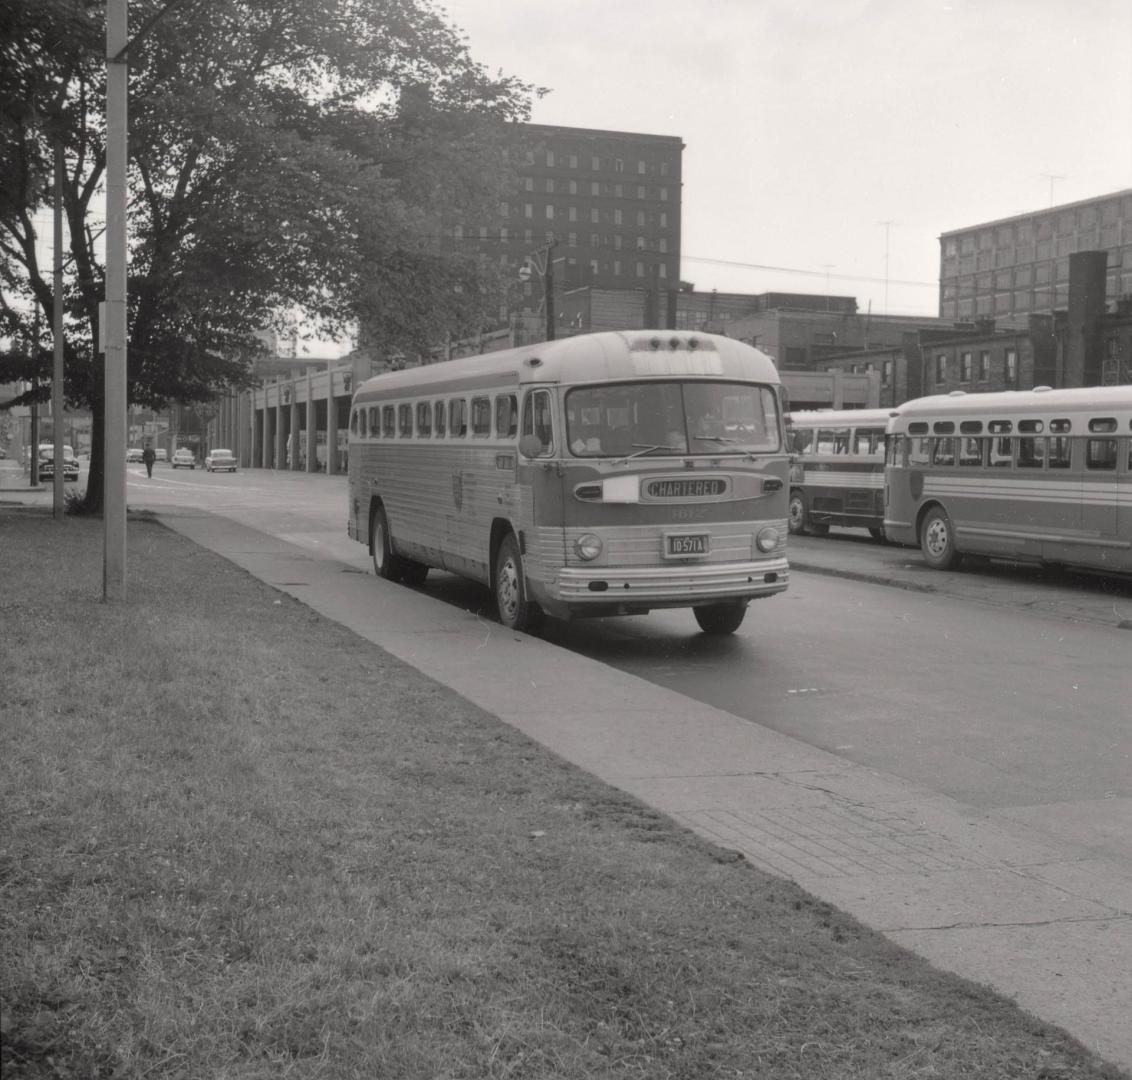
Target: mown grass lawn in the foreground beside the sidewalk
[(239, 842)]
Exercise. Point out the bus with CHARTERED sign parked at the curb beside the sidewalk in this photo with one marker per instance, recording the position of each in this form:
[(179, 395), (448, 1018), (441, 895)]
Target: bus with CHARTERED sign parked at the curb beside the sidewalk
[(601, 475)]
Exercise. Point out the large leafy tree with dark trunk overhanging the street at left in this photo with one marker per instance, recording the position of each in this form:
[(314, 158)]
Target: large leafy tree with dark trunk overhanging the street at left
[(289, 162)]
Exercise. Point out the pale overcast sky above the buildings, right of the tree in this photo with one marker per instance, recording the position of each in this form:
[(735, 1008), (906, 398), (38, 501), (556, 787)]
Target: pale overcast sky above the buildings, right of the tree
[(808, 126)]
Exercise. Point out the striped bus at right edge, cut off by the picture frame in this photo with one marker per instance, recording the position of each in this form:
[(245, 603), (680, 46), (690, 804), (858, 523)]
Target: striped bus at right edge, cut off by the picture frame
[(1041, 476)]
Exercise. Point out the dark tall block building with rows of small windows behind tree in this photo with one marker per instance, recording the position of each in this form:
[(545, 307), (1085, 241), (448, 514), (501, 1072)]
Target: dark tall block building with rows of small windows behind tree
[(610, 202)]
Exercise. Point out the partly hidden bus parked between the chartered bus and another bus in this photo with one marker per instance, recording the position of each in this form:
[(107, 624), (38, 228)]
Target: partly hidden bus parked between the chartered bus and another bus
[(837, 477)]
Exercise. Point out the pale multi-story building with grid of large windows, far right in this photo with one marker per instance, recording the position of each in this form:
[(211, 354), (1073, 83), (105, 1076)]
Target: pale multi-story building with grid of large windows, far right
[(1020, 265)]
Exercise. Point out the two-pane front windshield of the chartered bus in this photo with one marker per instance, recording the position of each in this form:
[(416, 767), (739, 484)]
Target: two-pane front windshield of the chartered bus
[(655, 418)]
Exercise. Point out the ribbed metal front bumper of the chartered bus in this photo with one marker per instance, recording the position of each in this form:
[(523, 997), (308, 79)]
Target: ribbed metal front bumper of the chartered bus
[(680, 586)]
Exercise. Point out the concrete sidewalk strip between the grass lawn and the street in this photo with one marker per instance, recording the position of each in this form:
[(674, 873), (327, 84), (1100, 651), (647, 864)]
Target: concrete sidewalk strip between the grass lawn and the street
[(1043, 922)]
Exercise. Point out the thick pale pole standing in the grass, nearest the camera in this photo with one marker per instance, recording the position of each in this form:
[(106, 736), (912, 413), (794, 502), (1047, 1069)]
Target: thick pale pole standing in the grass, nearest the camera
[(115, 387)]
